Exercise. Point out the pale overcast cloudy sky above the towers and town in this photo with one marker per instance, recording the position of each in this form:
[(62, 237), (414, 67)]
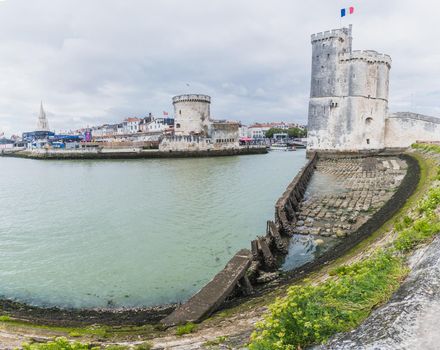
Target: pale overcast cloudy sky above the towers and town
[(97, 61)]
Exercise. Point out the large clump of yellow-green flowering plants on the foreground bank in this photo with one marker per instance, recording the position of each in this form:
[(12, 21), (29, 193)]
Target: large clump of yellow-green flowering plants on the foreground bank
[(311, 314)]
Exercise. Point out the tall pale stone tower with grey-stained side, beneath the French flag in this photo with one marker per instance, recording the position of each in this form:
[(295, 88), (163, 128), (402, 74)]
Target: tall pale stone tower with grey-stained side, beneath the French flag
[(348, 96)]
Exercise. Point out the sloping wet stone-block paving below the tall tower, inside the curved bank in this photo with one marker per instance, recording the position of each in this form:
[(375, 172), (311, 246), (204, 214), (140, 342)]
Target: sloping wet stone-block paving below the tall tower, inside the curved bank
[(345, 193)]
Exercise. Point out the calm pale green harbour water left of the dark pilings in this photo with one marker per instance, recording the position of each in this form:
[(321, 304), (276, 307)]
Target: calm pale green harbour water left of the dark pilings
[(130, 233)]
